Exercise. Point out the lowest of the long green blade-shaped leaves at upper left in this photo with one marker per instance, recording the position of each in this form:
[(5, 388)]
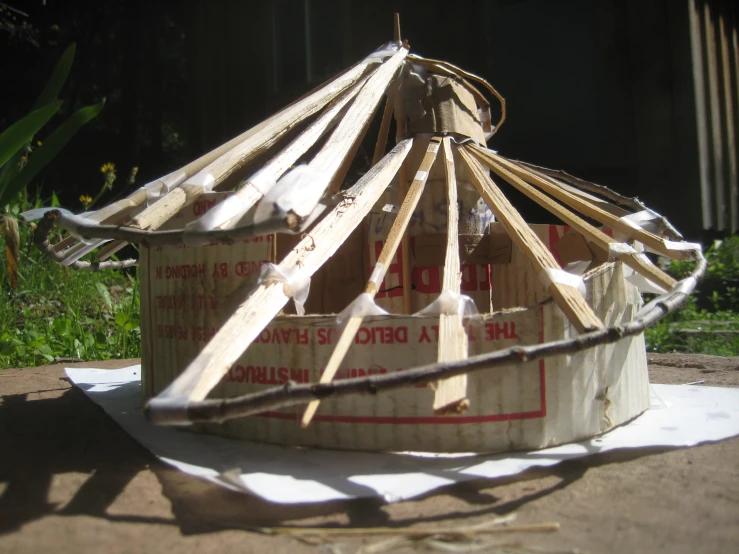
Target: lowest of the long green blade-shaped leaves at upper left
[(51, 147)]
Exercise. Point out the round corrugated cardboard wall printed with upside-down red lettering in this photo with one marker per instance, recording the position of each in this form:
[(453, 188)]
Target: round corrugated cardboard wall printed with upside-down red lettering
[(188, 292)]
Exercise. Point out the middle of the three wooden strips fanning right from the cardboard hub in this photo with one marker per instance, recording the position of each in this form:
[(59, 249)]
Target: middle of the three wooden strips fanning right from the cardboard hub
[(633, 259)]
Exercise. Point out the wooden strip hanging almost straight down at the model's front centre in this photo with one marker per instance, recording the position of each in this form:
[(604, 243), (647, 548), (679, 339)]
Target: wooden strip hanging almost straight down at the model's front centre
[(451, 394)]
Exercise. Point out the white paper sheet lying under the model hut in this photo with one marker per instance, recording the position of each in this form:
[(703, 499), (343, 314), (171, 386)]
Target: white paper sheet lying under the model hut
[(681, 416)]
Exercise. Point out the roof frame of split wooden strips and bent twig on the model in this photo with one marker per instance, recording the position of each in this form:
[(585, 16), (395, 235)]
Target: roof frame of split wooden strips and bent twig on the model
[(184, 400)]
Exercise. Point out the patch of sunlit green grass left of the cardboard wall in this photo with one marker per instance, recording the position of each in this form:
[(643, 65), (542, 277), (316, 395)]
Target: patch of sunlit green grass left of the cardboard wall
[(57, 313)]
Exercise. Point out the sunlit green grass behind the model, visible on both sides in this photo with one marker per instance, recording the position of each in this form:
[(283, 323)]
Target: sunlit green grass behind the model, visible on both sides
[(58, 313)]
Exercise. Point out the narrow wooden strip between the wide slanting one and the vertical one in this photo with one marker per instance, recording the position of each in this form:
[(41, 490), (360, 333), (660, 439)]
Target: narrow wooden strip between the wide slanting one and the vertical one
[(387, 254)]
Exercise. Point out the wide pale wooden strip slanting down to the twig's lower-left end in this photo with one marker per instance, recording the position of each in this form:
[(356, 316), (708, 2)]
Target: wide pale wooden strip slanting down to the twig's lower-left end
[(261, 306)]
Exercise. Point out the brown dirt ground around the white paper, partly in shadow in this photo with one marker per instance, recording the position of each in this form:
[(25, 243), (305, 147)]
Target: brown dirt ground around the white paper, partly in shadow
[(72, 481)]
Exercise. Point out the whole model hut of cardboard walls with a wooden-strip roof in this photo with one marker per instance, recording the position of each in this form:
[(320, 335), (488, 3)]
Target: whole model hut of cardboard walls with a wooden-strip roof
[(460, 326)]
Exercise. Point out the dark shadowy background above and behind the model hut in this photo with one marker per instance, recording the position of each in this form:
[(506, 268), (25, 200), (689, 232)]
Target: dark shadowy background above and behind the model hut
[(602, 89)]
